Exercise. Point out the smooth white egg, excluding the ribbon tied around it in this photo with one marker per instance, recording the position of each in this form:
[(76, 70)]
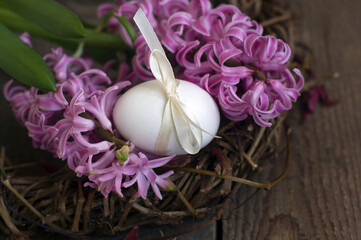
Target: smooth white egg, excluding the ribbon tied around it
[(138, 114)]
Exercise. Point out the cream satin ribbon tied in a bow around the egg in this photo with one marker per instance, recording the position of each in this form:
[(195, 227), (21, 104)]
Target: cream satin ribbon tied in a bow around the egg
[(176, 115)]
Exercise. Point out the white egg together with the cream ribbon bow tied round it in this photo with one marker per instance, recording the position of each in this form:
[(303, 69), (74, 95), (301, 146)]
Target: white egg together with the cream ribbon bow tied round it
[(165, 116)]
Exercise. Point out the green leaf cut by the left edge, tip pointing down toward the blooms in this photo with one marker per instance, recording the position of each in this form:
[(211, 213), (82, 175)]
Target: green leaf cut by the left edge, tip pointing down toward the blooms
[(23, 63)]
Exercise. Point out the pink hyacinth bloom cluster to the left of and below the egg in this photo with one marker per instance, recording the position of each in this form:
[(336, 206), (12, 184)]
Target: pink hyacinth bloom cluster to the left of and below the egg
[(64, 122)]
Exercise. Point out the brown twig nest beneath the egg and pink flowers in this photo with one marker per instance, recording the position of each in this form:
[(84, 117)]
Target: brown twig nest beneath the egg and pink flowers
[(203, 184)]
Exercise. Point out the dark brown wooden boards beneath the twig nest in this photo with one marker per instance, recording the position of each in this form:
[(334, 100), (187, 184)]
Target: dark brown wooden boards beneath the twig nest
[(320, 198)]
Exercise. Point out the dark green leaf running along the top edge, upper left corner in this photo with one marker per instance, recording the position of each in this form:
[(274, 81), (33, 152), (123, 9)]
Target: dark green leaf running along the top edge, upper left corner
[(49, 15)]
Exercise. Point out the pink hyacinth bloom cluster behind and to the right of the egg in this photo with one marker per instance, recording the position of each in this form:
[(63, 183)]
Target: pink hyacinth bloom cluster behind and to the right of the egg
[(222, 50)]
